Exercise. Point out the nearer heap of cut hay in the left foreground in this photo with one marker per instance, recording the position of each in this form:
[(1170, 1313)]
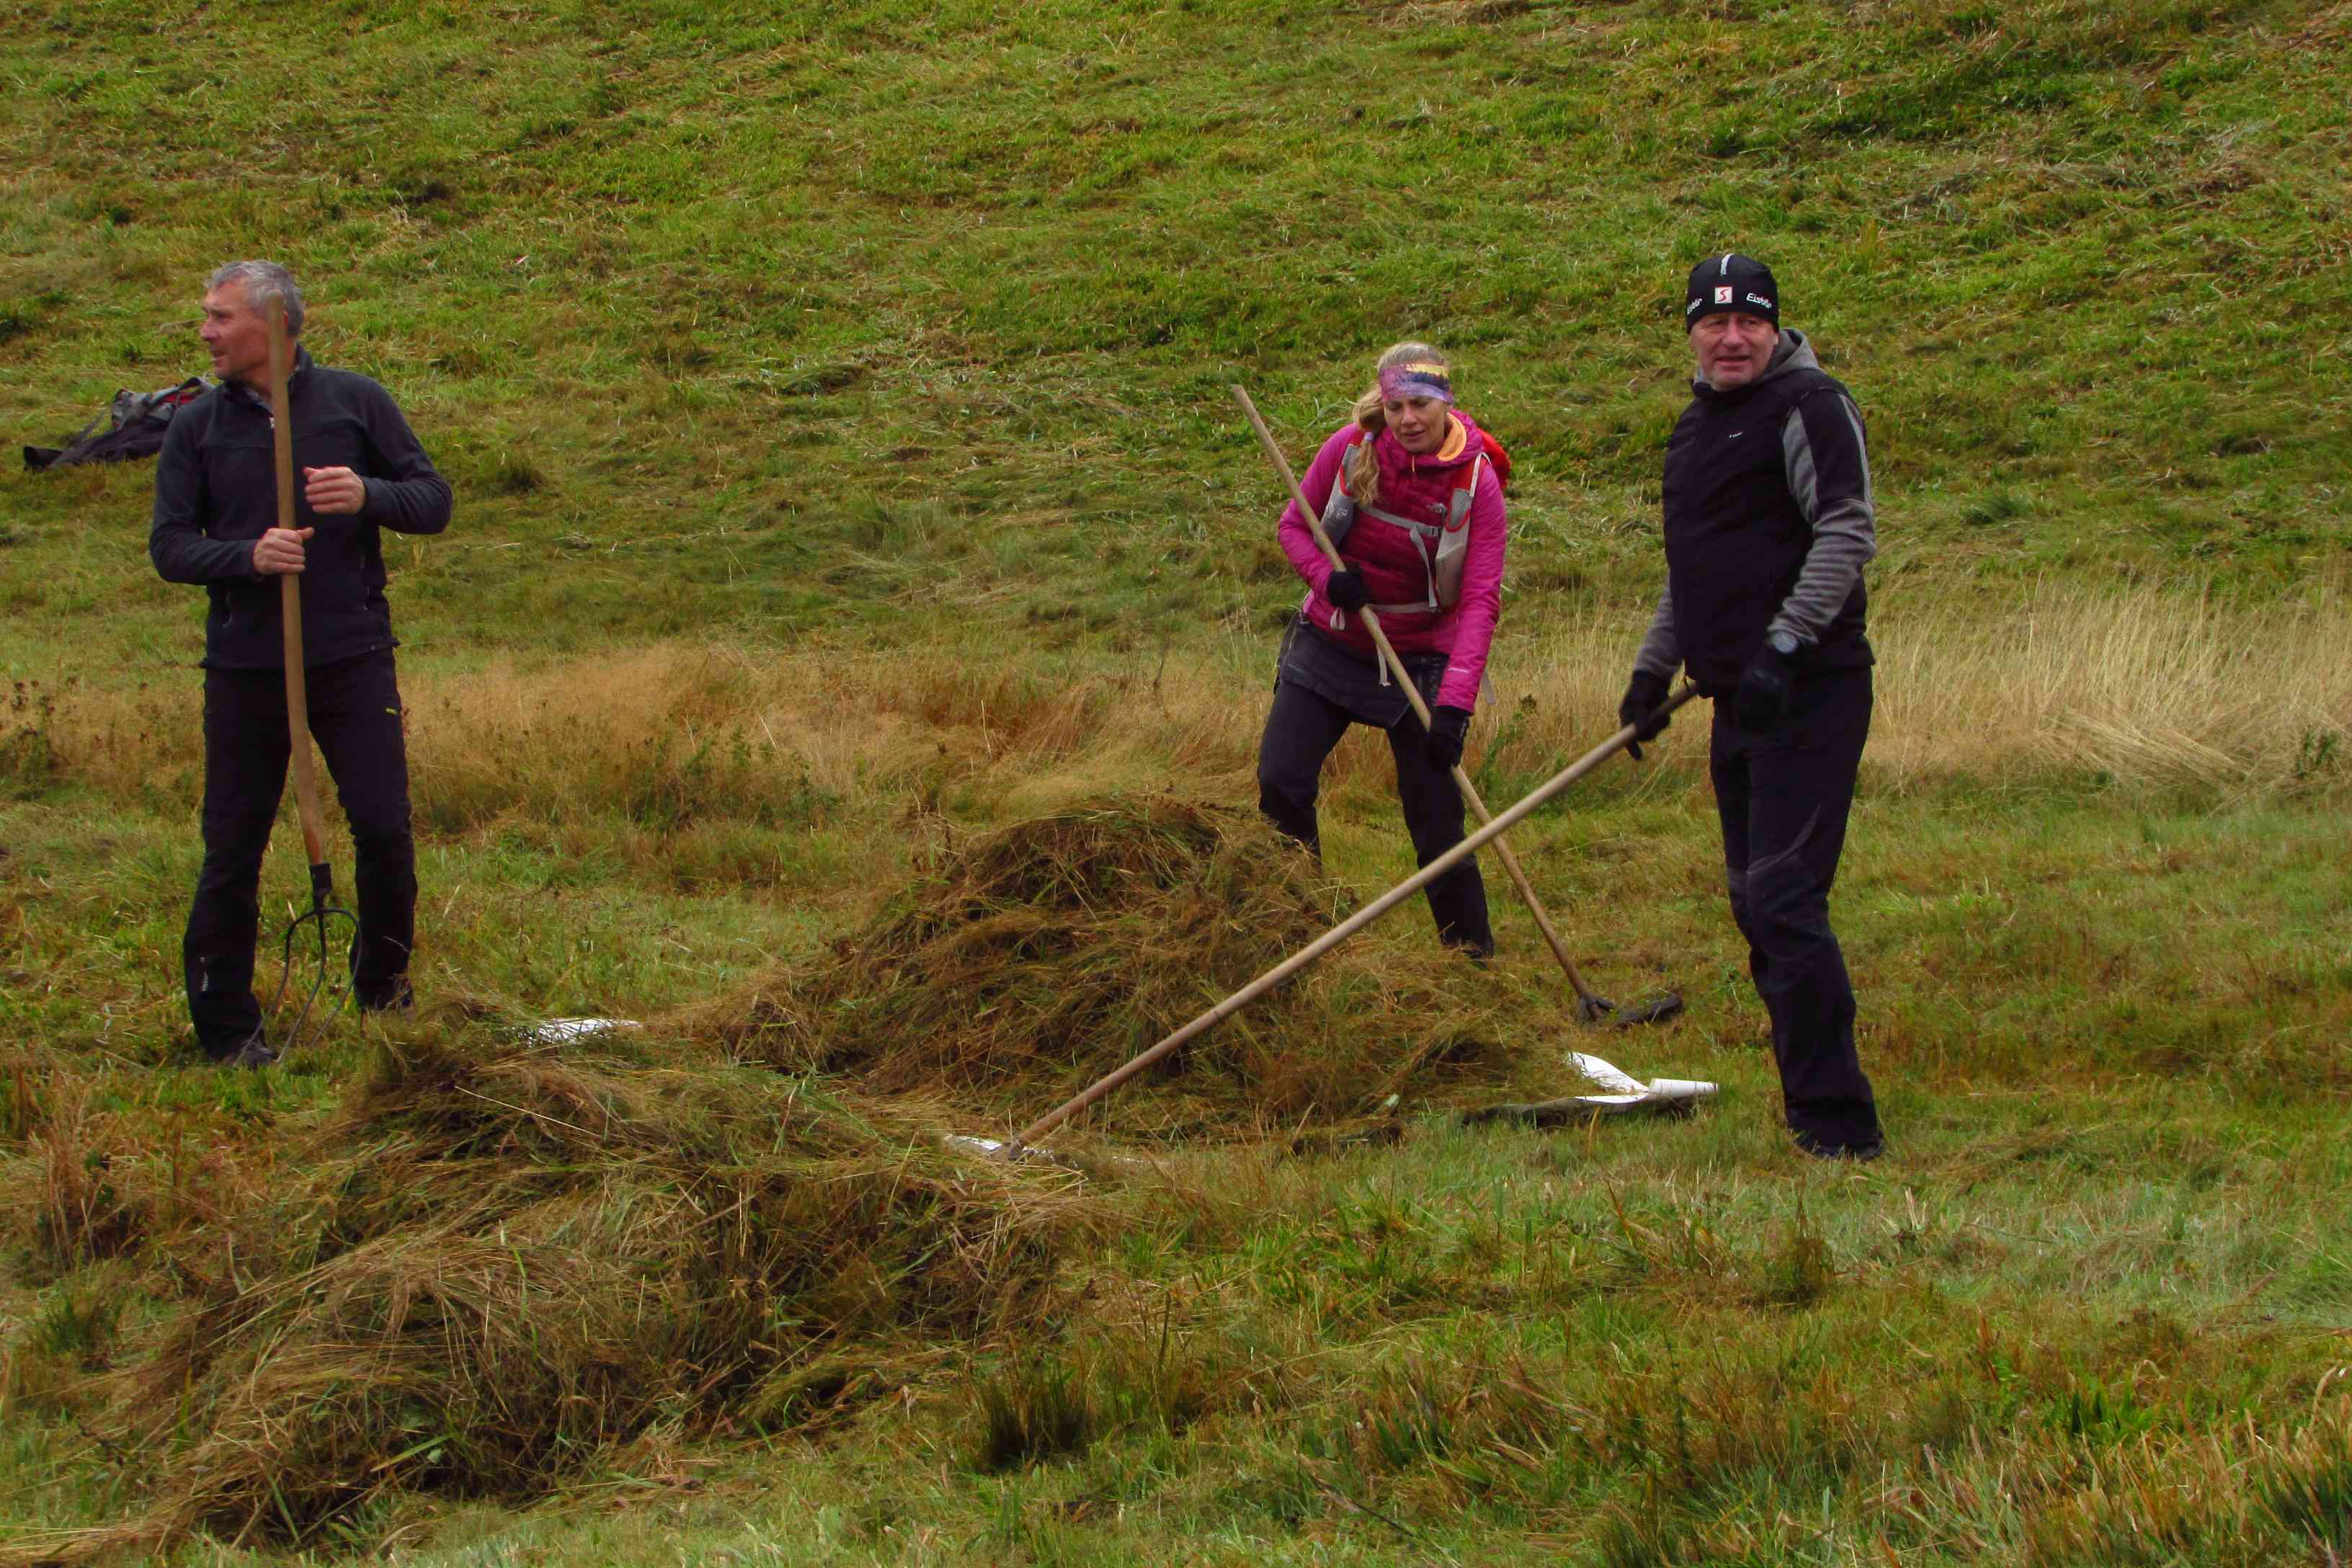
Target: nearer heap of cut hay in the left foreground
[(495, 1271)]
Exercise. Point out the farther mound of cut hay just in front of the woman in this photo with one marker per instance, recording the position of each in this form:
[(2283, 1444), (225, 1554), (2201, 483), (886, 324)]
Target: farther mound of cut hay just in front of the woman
[(1029, 963)]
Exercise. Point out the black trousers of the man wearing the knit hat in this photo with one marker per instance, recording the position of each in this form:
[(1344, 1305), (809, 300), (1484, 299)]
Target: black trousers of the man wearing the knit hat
[(1784, 803)]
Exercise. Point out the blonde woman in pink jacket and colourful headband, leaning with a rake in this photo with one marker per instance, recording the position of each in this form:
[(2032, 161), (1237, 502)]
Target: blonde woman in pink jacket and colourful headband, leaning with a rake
[(1415, 504)]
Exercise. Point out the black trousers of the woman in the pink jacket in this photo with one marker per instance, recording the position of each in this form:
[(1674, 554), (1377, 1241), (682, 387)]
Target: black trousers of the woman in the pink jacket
[(1302, 732)]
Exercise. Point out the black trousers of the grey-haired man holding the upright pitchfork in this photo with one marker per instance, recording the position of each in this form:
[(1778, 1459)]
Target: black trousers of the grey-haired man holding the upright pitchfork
[(356, 721)]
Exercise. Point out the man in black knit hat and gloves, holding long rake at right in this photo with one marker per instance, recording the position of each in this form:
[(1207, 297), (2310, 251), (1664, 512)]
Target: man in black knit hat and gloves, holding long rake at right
[(1768, 530)]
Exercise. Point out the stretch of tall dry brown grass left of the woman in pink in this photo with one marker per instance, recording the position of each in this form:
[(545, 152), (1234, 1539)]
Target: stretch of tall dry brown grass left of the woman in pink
[(671, 737)]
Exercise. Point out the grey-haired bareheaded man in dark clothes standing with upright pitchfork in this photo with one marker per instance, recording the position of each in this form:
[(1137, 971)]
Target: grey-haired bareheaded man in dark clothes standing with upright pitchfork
[(215, 525)]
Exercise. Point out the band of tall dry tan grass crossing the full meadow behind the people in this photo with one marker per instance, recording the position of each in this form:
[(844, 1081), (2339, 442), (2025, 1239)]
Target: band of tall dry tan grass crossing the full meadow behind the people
[(2149, 688)]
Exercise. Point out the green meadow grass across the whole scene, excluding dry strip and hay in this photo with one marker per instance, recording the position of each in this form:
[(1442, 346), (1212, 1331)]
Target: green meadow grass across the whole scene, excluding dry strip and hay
[(907, 328)]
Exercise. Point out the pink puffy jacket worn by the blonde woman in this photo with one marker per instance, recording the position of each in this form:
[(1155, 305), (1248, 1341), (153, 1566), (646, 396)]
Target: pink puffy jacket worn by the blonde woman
[(1398, 568)]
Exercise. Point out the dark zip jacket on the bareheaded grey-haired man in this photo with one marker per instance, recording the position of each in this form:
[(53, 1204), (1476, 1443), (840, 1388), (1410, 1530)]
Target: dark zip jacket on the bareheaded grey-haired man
[(218, 492)]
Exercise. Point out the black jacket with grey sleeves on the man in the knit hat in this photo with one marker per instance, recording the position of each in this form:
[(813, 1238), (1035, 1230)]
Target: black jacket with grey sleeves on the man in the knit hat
[(1768, 525)]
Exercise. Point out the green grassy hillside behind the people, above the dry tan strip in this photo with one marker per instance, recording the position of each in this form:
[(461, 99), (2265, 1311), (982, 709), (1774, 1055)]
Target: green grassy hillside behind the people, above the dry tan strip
[(716, 297)]
